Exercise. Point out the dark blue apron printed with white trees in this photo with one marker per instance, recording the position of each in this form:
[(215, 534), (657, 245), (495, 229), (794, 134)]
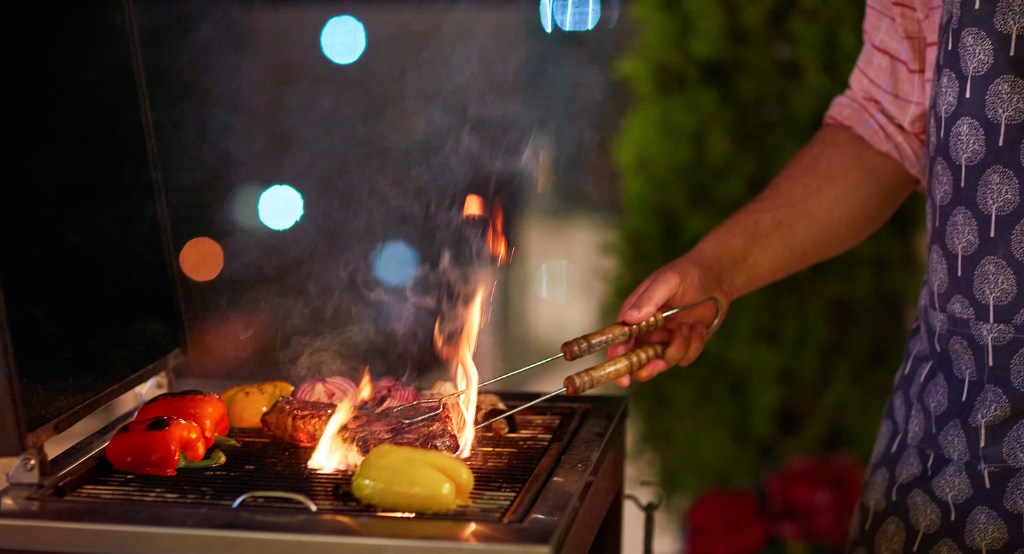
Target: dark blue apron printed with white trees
[(947, 474)]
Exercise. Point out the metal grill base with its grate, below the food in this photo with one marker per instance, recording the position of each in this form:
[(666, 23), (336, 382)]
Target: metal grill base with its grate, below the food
[(553, 487)]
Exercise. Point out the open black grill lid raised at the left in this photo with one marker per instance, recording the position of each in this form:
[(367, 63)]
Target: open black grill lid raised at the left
[(88, 302)]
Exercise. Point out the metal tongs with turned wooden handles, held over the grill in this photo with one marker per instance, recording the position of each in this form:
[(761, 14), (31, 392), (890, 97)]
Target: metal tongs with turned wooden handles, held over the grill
[(590, 378)]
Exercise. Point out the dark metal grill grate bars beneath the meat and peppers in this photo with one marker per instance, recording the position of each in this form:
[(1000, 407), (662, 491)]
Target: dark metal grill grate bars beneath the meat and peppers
[(502, 465)]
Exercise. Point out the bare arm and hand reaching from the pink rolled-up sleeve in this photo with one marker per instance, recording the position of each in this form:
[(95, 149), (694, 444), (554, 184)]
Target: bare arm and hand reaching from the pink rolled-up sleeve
[(833, 195)]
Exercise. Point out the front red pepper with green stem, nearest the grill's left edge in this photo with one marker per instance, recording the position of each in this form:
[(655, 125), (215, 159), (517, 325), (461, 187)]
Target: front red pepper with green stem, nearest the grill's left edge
[(159, 446)]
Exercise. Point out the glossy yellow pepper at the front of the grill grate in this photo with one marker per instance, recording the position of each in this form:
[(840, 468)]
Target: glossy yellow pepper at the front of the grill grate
[(412, 480)]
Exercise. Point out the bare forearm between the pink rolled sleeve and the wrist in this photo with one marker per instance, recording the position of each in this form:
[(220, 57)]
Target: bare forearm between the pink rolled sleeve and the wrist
[(833, 195)]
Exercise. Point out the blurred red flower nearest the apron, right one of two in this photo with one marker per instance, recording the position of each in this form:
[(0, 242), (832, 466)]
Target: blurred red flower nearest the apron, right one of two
[(813, 501)]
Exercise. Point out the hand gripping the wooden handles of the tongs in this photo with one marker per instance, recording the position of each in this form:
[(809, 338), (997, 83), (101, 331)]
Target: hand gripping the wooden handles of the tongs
[(680, 283)]
